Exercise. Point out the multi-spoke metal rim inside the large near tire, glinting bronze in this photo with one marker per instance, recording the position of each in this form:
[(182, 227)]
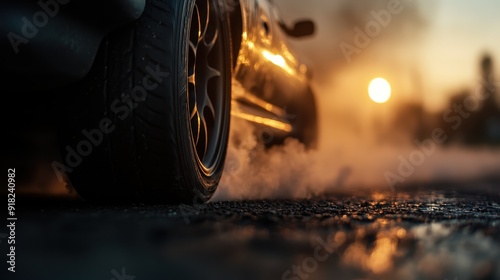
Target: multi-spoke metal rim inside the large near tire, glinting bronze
[(205, 85)]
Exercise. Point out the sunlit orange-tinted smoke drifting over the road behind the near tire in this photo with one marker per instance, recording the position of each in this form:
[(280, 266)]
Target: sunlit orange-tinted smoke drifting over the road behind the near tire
[(346, 161)]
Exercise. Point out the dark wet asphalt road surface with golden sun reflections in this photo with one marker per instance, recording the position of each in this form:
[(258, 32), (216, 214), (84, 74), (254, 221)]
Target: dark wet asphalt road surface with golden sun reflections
[(401, 235)]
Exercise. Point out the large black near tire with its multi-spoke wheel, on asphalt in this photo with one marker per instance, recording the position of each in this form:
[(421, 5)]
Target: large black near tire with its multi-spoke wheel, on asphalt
[(150, 123)]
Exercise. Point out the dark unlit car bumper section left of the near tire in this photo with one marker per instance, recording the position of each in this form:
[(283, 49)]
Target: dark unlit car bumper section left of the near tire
[(50, 43)]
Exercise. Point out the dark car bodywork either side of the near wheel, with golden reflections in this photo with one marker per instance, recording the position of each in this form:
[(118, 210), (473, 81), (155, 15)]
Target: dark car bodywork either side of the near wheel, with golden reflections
[(51, 43)]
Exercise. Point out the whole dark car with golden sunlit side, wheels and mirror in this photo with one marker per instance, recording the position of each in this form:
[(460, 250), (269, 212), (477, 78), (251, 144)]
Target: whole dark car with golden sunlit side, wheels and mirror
[(147, 87)]
